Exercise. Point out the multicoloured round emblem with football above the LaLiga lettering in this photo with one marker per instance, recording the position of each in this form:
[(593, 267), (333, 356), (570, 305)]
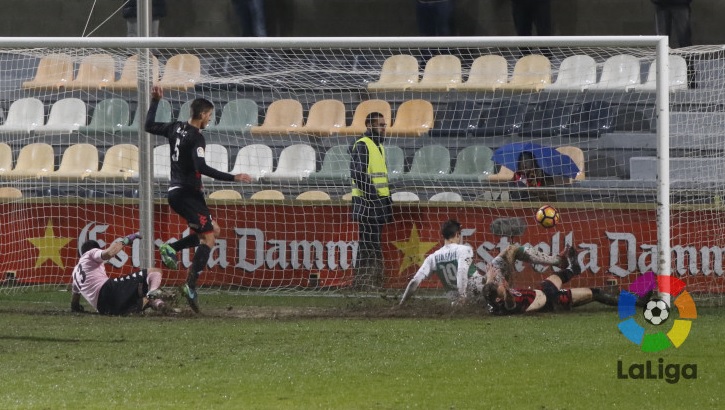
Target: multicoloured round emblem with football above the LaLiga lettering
[(656, 312)]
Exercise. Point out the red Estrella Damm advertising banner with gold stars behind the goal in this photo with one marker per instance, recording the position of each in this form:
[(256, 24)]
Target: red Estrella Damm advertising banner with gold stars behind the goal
[(273, 245)]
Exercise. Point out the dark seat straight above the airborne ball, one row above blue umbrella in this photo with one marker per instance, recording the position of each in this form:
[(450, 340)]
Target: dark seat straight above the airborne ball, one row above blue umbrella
[(551, 117)]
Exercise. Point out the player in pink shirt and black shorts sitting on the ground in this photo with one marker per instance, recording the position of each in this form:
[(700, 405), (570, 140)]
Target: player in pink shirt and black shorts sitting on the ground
[(119, 296)]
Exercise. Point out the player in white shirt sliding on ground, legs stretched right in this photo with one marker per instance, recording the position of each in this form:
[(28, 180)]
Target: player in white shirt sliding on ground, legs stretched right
[(453, 263)]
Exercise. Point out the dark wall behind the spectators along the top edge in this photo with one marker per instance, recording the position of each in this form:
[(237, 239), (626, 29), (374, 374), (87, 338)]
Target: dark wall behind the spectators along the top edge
[(298, 18)]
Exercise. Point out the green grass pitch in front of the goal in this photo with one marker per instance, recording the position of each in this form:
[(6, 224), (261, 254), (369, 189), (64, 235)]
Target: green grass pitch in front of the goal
[(250, 352)]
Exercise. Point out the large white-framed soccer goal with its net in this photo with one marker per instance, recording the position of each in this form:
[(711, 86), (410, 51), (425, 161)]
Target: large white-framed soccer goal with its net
[(600, 117)]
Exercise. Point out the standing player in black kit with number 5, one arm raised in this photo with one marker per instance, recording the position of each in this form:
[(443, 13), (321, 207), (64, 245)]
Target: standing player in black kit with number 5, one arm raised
[(186, 196)]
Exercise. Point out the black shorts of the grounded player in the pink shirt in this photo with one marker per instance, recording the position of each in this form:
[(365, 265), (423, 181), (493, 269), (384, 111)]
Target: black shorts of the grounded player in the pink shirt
[(124, 295)]
